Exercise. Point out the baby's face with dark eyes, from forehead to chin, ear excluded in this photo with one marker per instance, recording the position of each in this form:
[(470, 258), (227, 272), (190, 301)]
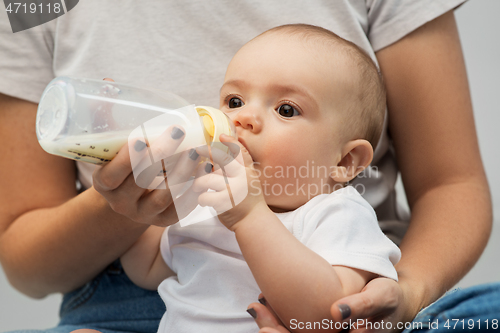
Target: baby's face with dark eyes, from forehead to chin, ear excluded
[(286, 99)]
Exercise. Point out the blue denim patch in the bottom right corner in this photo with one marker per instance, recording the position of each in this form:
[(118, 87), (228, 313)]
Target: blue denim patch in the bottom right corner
[(475, 309)]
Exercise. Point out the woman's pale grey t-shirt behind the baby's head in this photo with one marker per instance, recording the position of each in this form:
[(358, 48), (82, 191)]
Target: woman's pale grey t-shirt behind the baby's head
[(185, 47)]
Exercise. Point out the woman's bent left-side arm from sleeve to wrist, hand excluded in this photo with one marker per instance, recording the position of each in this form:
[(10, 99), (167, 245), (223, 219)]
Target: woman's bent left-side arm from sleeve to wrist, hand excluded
[(51, 239)]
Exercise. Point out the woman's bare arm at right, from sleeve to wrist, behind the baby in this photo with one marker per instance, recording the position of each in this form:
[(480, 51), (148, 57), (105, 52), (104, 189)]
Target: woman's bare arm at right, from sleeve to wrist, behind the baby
[(431, 123)]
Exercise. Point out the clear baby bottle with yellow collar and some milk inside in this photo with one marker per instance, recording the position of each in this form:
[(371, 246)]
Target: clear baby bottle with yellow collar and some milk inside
[(90, 120)]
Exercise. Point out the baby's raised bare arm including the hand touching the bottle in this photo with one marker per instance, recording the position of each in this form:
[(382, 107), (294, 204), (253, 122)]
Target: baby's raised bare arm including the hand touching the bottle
[(297, 282)]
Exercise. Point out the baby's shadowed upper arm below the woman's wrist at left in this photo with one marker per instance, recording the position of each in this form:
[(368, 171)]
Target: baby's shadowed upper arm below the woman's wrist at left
[(144, 263)]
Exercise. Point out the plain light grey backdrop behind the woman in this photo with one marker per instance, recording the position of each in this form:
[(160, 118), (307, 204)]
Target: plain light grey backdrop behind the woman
[(478, 24)]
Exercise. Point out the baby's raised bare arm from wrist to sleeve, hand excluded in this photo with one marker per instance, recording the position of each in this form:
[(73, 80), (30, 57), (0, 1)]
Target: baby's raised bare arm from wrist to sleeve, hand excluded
[(297, 282)]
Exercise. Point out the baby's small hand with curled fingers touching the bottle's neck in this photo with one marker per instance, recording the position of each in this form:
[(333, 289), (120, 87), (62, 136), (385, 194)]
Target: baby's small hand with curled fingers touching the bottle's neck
[(235, 182)]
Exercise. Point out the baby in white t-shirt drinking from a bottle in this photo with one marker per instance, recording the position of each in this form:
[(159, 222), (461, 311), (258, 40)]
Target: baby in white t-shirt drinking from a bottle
[(300, 97)]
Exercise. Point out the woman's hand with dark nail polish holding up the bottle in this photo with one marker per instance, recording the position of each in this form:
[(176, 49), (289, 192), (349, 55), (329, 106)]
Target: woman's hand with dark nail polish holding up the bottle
[(116, 183)]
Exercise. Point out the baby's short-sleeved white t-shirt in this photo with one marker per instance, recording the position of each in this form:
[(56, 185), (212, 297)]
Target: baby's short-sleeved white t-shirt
[(214, 285)]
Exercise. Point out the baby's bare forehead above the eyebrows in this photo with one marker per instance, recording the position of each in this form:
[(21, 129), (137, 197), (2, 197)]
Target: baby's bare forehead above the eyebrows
[(310, 57)]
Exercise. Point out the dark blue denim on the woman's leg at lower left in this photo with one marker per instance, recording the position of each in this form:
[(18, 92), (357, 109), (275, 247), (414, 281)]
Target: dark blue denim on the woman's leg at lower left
[(110, 303)]
